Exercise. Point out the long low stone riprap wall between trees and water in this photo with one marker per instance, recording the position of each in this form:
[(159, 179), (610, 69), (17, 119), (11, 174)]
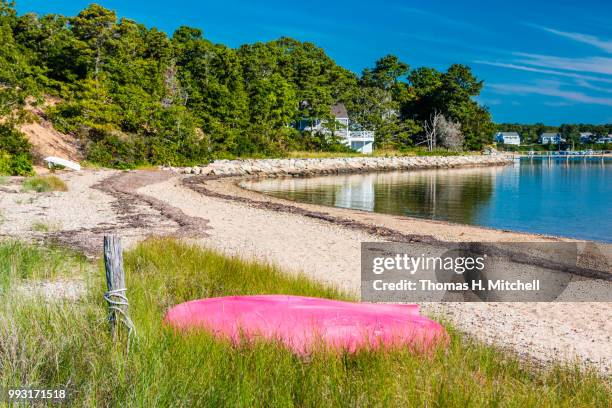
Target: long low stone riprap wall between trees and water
[(310, 167)]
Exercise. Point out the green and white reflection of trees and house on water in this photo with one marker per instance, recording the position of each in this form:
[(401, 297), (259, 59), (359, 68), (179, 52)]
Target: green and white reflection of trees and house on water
[(439, 194)]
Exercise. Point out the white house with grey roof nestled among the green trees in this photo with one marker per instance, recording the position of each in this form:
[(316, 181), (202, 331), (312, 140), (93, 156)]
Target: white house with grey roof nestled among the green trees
[(359, 140)]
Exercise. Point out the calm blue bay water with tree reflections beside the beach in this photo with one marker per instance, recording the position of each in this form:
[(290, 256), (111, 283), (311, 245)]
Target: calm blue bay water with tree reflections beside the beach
[(570, 198)]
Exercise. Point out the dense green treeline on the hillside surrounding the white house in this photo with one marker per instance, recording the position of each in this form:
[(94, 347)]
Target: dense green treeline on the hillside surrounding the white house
[(134, 95)]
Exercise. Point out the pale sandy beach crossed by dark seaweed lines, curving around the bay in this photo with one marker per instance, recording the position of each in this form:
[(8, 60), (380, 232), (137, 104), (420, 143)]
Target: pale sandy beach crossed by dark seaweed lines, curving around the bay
[(322, 242)]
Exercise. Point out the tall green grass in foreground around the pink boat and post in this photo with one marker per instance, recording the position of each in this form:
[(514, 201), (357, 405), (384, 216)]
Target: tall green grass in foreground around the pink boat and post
[(68, 343)]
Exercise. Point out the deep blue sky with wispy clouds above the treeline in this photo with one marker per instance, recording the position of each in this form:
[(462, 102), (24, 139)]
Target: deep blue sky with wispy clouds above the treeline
[(542, 61)]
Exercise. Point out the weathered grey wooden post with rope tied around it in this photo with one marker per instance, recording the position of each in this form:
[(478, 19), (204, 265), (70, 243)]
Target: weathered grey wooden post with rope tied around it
[(115, 281)]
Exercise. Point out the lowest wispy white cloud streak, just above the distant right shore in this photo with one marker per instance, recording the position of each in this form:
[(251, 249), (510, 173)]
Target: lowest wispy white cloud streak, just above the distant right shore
[(549, 89)]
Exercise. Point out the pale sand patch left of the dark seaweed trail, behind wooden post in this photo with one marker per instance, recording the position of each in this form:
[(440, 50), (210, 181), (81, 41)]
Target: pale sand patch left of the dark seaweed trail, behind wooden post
[(85, 212)]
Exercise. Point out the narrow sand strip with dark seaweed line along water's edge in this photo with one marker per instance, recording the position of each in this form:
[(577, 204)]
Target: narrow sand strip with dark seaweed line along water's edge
[(395, 228)]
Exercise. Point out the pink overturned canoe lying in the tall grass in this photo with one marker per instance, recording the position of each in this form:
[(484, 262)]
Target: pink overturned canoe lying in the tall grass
[(303, 324)]
